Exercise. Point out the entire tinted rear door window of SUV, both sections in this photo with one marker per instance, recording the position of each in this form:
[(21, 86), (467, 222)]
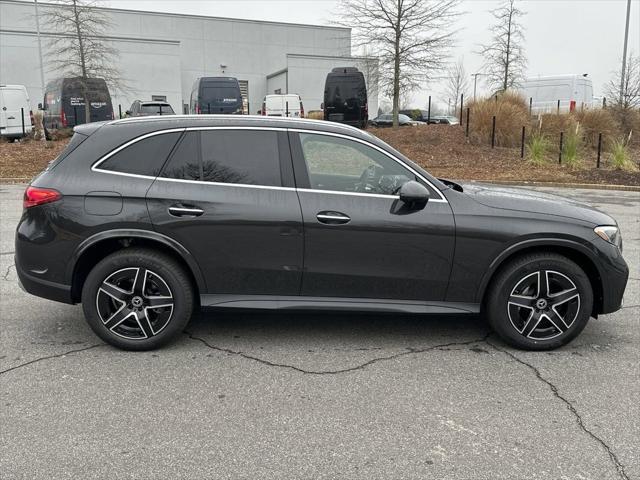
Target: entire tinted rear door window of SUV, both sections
[(249, 157)]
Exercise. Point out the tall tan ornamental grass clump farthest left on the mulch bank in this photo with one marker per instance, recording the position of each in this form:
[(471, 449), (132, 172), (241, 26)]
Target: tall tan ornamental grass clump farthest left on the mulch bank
[(511, 112)]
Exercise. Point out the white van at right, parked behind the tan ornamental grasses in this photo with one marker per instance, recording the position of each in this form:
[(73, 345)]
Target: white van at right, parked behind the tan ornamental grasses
[(574, 92)]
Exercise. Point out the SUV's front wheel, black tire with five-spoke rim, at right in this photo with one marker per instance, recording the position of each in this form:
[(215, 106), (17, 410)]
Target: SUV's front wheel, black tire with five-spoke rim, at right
[(539, 301)]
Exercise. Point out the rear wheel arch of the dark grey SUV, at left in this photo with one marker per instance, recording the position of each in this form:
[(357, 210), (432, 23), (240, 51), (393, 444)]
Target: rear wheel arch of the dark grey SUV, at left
[(101, 245)]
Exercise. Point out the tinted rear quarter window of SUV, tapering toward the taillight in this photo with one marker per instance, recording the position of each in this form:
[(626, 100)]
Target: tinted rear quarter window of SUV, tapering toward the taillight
[(144, 157)]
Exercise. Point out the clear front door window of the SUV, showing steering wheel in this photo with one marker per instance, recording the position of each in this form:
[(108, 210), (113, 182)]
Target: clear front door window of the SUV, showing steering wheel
[(343, 165)]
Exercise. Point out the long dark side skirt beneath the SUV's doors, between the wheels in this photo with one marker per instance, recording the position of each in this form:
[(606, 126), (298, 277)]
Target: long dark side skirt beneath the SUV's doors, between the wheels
[(270, 302)]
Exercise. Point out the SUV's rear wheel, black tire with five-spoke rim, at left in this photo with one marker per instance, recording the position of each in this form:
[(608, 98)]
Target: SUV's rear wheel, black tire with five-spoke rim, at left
[(120, 304)]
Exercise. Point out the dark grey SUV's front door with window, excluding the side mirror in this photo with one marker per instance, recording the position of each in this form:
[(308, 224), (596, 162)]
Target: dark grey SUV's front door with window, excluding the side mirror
[(361, 241)]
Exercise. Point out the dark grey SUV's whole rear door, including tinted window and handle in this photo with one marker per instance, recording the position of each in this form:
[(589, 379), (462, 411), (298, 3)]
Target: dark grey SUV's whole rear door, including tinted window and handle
[(225, 196)]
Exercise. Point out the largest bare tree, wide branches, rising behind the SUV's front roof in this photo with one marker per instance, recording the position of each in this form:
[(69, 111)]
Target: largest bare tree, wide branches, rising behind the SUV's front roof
[(412, 39)]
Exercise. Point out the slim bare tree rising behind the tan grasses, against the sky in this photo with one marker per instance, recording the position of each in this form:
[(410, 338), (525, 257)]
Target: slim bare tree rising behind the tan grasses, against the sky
[(505, 60)]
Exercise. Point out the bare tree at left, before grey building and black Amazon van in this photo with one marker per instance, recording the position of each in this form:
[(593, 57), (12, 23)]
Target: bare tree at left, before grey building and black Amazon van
[(78, 47)]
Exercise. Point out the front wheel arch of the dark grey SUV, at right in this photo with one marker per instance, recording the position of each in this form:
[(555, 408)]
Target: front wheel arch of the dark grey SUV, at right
[(571, 250)]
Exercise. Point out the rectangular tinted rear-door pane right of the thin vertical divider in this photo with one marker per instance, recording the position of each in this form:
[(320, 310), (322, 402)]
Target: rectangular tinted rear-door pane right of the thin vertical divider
[(241, 156)]
